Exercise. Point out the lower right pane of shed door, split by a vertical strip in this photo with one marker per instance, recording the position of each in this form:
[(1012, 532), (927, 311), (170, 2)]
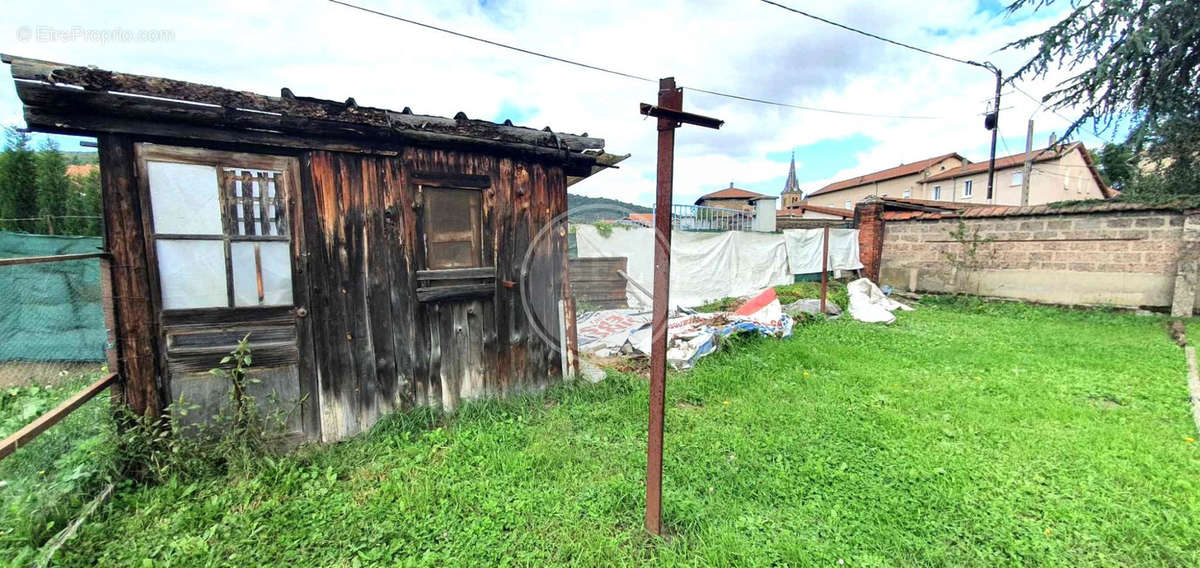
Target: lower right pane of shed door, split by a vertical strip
[(275, 261)]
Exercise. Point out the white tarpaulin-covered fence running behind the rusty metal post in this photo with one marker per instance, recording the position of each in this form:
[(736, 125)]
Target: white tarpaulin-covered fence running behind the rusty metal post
[(711, 266)]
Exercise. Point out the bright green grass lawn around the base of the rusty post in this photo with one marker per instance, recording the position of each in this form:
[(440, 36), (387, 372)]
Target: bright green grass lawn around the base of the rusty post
[(975, 435)]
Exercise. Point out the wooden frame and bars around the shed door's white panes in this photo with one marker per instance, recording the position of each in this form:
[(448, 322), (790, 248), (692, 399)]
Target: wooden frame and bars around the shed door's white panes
[(236, 225)]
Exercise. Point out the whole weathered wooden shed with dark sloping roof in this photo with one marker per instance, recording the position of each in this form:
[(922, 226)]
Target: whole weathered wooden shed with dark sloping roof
[(379, 260)]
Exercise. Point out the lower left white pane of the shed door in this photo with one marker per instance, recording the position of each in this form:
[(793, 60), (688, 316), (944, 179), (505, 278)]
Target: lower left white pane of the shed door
[(191, 274)]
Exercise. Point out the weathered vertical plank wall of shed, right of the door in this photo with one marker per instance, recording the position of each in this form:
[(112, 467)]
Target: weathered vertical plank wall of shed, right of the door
[(376, 349)]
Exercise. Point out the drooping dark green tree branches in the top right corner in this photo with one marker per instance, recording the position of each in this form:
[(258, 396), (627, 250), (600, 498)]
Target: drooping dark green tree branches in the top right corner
[(1133, 62)]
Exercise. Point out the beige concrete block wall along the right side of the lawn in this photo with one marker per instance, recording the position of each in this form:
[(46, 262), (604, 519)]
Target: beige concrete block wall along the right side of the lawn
[(1123, 259)]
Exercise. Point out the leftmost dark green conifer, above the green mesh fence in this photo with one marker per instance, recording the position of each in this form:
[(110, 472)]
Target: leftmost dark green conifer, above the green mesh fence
[(19, 183)]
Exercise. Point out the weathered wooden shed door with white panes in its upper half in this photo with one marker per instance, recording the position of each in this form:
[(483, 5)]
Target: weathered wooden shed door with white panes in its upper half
[(225, 241)]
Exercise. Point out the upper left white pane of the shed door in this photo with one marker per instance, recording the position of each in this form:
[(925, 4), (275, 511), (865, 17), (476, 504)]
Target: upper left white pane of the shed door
[(185, 199)]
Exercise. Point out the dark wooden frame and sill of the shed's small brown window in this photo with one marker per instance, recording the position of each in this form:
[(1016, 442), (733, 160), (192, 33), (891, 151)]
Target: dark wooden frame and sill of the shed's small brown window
[(441, 283)]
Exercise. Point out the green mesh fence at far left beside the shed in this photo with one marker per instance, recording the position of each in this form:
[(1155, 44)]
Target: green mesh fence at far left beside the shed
[(51, 313)]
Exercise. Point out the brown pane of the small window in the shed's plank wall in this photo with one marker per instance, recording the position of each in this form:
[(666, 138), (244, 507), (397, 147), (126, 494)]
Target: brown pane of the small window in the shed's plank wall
[(454, 235)]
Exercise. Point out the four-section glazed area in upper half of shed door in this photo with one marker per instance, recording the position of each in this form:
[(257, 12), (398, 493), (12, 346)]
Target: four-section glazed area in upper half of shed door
[(221, 236)]
